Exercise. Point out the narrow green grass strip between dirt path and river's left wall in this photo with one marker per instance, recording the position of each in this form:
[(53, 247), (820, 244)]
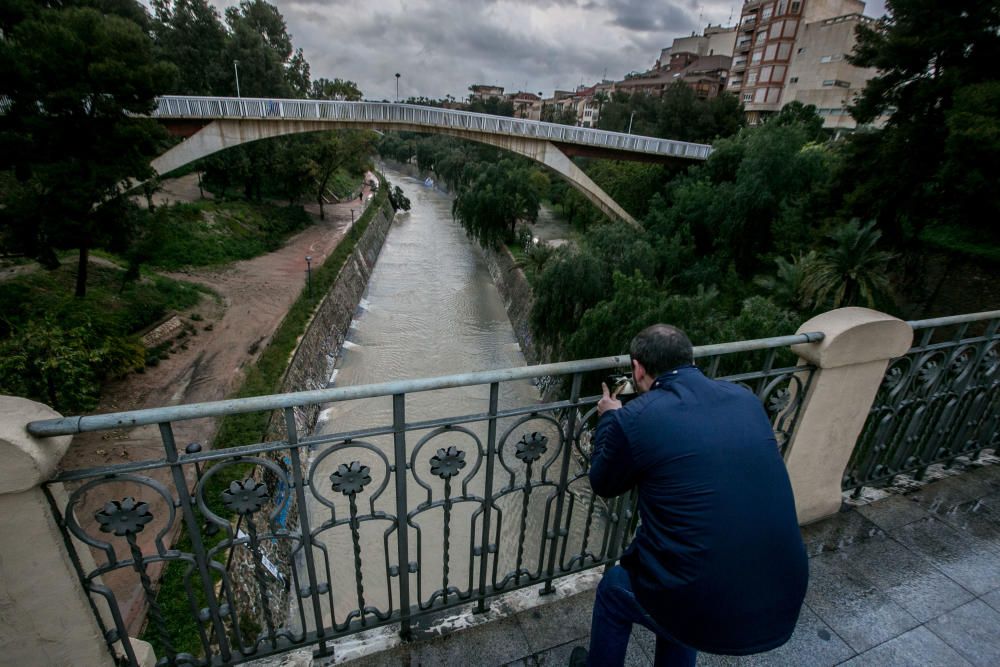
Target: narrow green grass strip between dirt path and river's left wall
[(264, 377)]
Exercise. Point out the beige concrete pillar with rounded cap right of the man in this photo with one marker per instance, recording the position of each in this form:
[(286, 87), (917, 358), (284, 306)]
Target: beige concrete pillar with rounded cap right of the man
[(851, 361)]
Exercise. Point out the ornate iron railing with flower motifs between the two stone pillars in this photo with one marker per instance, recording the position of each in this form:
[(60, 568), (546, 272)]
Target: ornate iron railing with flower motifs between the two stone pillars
[(341, 532)]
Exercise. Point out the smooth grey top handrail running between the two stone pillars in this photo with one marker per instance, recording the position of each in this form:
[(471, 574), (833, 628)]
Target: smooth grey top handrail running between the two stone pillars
[(81, 424)]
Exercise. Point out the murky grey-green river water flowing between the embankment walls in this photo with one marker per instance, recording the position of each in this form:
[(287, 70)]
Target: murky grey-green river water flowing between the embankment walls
[(430, 309)]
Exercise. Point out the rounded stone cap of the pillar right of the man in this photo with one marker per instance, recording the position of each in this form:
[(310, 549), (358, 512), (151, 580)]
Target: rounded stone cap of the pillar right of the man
[(854, 336)]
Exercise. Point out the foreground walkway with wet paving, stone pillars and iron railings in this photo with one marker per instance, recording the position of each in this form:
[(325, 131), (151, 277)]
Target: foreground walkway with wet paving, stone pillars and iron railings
[(415, 505)]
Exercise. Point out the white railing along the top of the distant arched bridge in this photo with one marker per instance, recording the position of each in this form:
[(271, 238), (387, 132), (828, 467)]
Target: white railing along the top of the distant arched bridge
[(386, 115)]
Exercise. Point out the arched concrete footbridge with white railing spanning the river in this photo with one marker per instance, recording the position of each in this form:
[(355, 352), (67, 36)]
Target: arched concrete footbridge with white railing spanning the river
[(212, 124)]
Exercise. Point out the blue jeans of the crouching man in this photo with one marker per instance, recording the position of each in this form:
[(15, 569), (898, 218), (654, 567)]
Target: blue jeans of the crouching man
[(615, 610)]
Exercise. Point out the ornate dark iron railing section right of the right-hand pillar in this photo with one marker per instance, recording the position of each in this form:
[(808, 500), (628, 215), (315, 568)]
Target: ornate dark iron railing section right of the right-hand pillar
[(939, 402)]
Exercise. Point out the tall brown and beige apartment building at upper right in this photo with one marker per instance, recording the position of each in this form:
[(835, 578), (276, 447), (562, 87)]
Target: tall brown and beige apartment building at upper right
[(776, 36)]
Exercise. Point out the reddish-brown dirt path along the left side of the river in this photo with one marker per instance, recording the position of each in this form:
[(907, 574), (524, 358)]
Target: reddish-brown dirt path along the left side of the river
[(253, 297)]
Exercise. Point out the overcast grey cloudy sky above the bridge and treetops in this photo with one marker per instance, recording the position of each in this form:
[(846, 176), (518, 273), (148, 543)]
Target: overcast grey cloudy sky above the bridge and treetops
[(440, 47)]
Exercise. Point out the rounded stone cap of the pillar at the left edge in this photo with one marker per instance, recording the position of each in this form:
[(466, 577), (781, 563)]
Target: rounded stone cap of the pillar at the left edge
[(26, 461)]
